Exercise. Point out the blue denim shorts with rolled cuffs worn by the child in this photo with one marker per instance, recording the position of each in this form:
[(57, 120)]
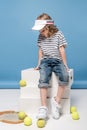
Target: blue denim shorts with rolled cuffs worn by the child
[(49, 65)]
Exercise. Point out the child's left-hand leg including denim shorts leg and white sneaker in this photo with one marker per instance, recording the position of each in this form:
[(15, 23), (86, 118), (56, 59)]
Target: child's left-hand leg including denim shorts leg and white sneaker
[(45, 75)]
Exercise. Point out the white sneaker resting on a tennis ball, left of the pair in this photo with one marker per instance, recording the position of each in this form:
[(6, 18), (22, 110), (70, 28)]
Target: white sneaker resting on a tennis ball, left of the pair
[(42, 113)]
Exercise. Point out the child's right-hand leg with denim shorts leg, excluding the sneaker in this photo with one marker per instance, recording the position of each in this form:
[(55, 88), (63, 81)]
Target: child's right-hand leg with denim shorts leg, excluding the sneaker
[(62, 73)]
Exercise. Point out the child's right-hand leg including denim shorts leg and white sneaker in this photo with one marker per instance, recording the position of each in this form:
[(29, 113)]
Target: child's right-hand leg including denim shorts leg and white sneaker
[(62, 73)]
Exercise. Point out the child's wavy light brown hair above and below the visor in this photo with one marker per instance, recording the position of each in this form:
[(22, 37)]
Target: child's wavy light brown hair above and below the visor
[(50, 27)]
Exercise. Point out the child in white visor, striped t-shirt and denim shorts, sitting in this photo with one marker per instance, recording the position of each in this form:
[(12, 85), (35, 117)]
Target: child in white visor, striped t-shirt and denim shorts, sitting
[(51, 58)]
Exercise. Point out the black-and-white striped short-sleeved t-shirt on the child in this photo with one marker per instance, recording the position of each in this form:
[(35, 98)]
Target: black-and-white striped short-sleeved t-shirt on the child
[(50, 46)]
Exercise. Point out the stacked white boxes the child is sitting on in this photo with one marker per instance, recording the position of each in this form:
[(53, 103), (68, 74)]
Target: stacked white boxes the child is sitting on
[(30, 95)]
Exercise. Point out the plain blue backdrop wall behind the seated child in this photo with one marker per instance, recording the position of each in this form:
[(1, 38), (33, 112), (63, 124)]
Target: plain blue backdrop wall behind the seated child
[(18, 49)]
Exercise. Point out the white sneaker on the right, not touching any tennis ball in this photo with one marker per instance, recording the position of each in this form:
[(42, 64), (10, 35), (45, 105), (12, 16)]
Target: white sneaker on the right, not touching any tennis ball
[(56, 109)]
